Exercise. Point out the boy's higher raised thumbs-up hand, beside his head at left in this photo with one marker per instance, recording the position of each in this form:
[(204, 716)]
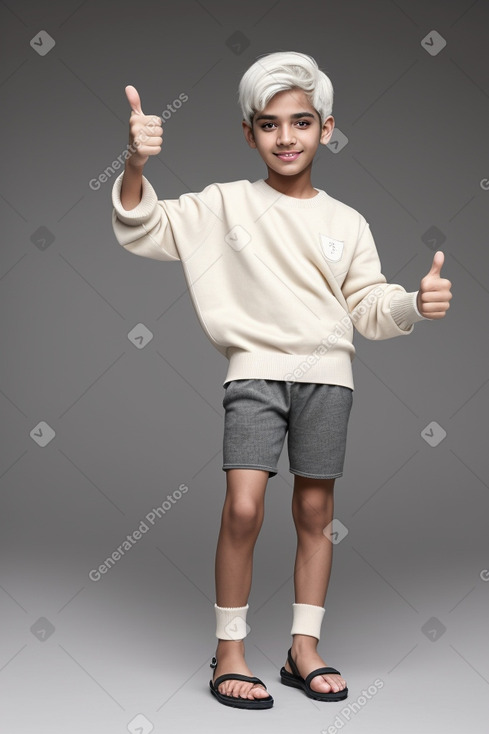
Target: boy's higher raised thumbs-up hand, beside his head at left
[(145, 131)]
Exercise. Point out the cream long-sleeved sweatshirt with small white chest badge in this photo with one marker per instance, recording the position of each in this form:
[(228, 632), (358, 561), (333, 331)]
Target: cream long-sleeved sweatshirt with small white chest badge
[(278, 283)]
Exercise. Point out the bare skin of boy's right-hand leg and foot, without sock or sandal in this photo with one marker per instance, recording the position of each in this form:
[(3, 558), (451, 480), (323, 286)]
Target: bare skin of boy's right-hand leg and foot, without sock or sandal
[(312, 510)]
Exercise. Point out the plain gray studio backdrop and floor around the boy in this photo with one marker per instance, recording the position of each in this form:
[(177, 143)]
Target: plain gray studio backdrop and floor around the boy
[(132, 424)]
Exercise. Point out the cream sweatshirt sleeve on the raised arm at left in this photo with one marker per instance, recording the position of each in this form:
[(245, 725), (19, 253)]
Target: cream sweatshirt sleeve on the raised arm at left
[(163, 230)]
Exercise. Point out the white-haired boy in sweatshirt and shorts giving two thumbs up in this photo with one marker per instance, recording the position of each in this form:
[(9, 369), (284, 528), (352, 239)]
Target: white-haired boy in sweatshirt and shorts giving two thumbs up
[(279, 273)]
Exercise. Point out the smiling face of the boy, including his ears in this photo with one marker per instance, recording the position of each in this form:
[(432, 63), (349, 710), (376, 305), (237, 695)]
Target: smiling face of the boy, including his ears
[(287, 133)]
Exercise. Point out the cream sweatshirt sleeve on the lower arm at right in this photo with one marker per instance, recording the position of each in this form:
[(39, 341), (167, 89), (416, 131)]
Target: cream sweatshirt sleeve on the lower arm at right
[(379, 310)]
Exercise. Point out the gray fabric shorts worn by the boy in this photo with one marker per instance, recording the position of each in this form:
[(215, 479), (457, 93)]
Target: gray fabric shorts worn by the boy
[(259, 412)]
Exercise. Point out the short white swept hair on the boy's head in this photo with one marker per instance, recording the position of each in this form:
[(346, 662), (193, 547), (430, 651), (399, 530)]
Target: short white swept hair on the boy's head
[(280, 71)]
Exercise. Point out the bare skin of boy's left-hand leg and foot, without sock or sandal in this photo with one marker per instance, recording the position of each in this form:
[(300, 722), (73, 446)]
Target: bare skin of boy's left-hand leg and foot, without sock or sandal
[(241, 521)]
